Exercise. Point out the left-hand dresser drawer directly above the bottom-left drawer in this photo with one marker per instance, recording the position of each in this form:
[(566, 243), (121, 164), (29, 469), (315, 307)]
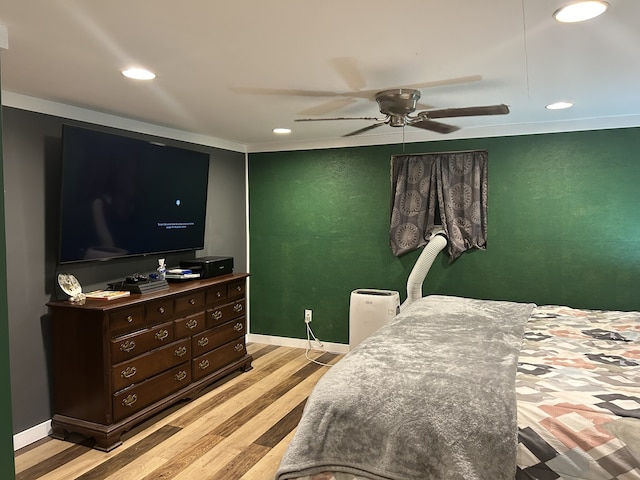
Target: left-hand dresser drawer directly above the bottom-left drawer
[(149, 364)]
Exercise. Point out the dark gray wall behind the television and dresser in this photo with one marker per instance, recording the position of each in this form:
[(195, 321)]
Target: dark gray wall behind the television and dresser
[(32, 161)]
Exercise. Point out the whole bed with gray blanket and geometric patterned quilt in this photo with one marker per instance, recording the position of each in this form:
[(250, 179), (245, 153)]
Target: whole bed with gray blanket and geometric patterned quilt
[(457, 388)]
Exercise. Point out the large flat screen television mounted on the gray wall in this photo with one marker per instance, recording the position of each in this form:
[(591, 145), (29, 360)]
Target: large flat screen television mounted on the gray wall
[(124, 196)]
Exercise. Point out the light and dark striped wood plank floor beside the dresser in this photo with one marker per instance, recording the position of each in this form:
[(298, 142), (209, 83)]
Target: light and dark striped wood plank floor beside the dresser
[(236, 430)]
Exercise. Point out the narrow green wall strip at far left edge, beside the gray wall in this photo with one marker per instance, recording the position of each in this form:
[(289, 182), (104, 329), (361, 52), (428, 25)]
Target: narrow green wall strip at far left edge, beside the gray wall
[(7, 468)]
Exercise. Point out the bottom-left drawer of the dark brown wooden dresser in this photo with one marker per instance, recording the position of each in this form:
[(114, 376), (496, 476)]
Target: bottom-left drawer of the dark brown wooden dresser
[(139, 396)]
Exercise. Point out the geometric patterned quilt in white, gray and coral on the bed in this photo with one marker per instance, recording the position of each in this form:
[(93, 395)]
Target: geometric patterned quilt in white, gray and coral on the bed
[(578, 391)]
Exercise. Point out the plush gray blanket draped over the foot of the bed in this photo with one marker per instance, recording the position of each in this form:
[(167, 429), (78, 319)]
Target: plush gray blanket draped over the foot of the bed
[(431, 395)]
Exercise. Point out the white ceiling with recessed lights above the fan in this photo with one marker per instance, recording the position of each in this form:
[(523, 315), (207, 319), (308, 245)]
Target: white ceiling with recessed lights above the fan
[(232, 71)]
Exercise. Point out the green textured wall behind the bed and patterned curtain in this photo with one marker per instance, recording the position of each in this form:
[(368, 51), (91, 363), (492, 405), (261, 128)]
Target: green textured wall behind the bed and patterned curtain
[(563, 228)]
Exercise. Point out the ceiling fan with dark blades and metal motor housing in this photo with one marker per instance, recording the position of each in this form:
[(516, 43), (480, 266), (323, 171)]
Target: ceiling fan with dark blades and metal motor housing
[(399, 104)]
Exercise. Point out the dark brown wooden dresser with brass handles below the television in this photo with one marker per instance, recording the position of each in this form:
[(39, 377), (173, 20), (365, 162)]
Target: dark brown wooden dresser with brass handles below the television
[(118, 362)]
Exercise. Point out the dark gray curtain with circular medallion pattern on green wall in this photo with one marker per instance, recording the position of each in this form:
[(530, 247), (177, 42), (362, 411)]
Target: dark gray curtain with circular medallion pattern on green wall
[(439, 190)]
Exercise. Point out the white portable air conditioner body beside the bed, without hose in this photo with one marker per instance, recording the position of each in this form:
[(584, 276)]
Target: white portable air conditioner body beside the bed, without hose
[(370, 309)]
